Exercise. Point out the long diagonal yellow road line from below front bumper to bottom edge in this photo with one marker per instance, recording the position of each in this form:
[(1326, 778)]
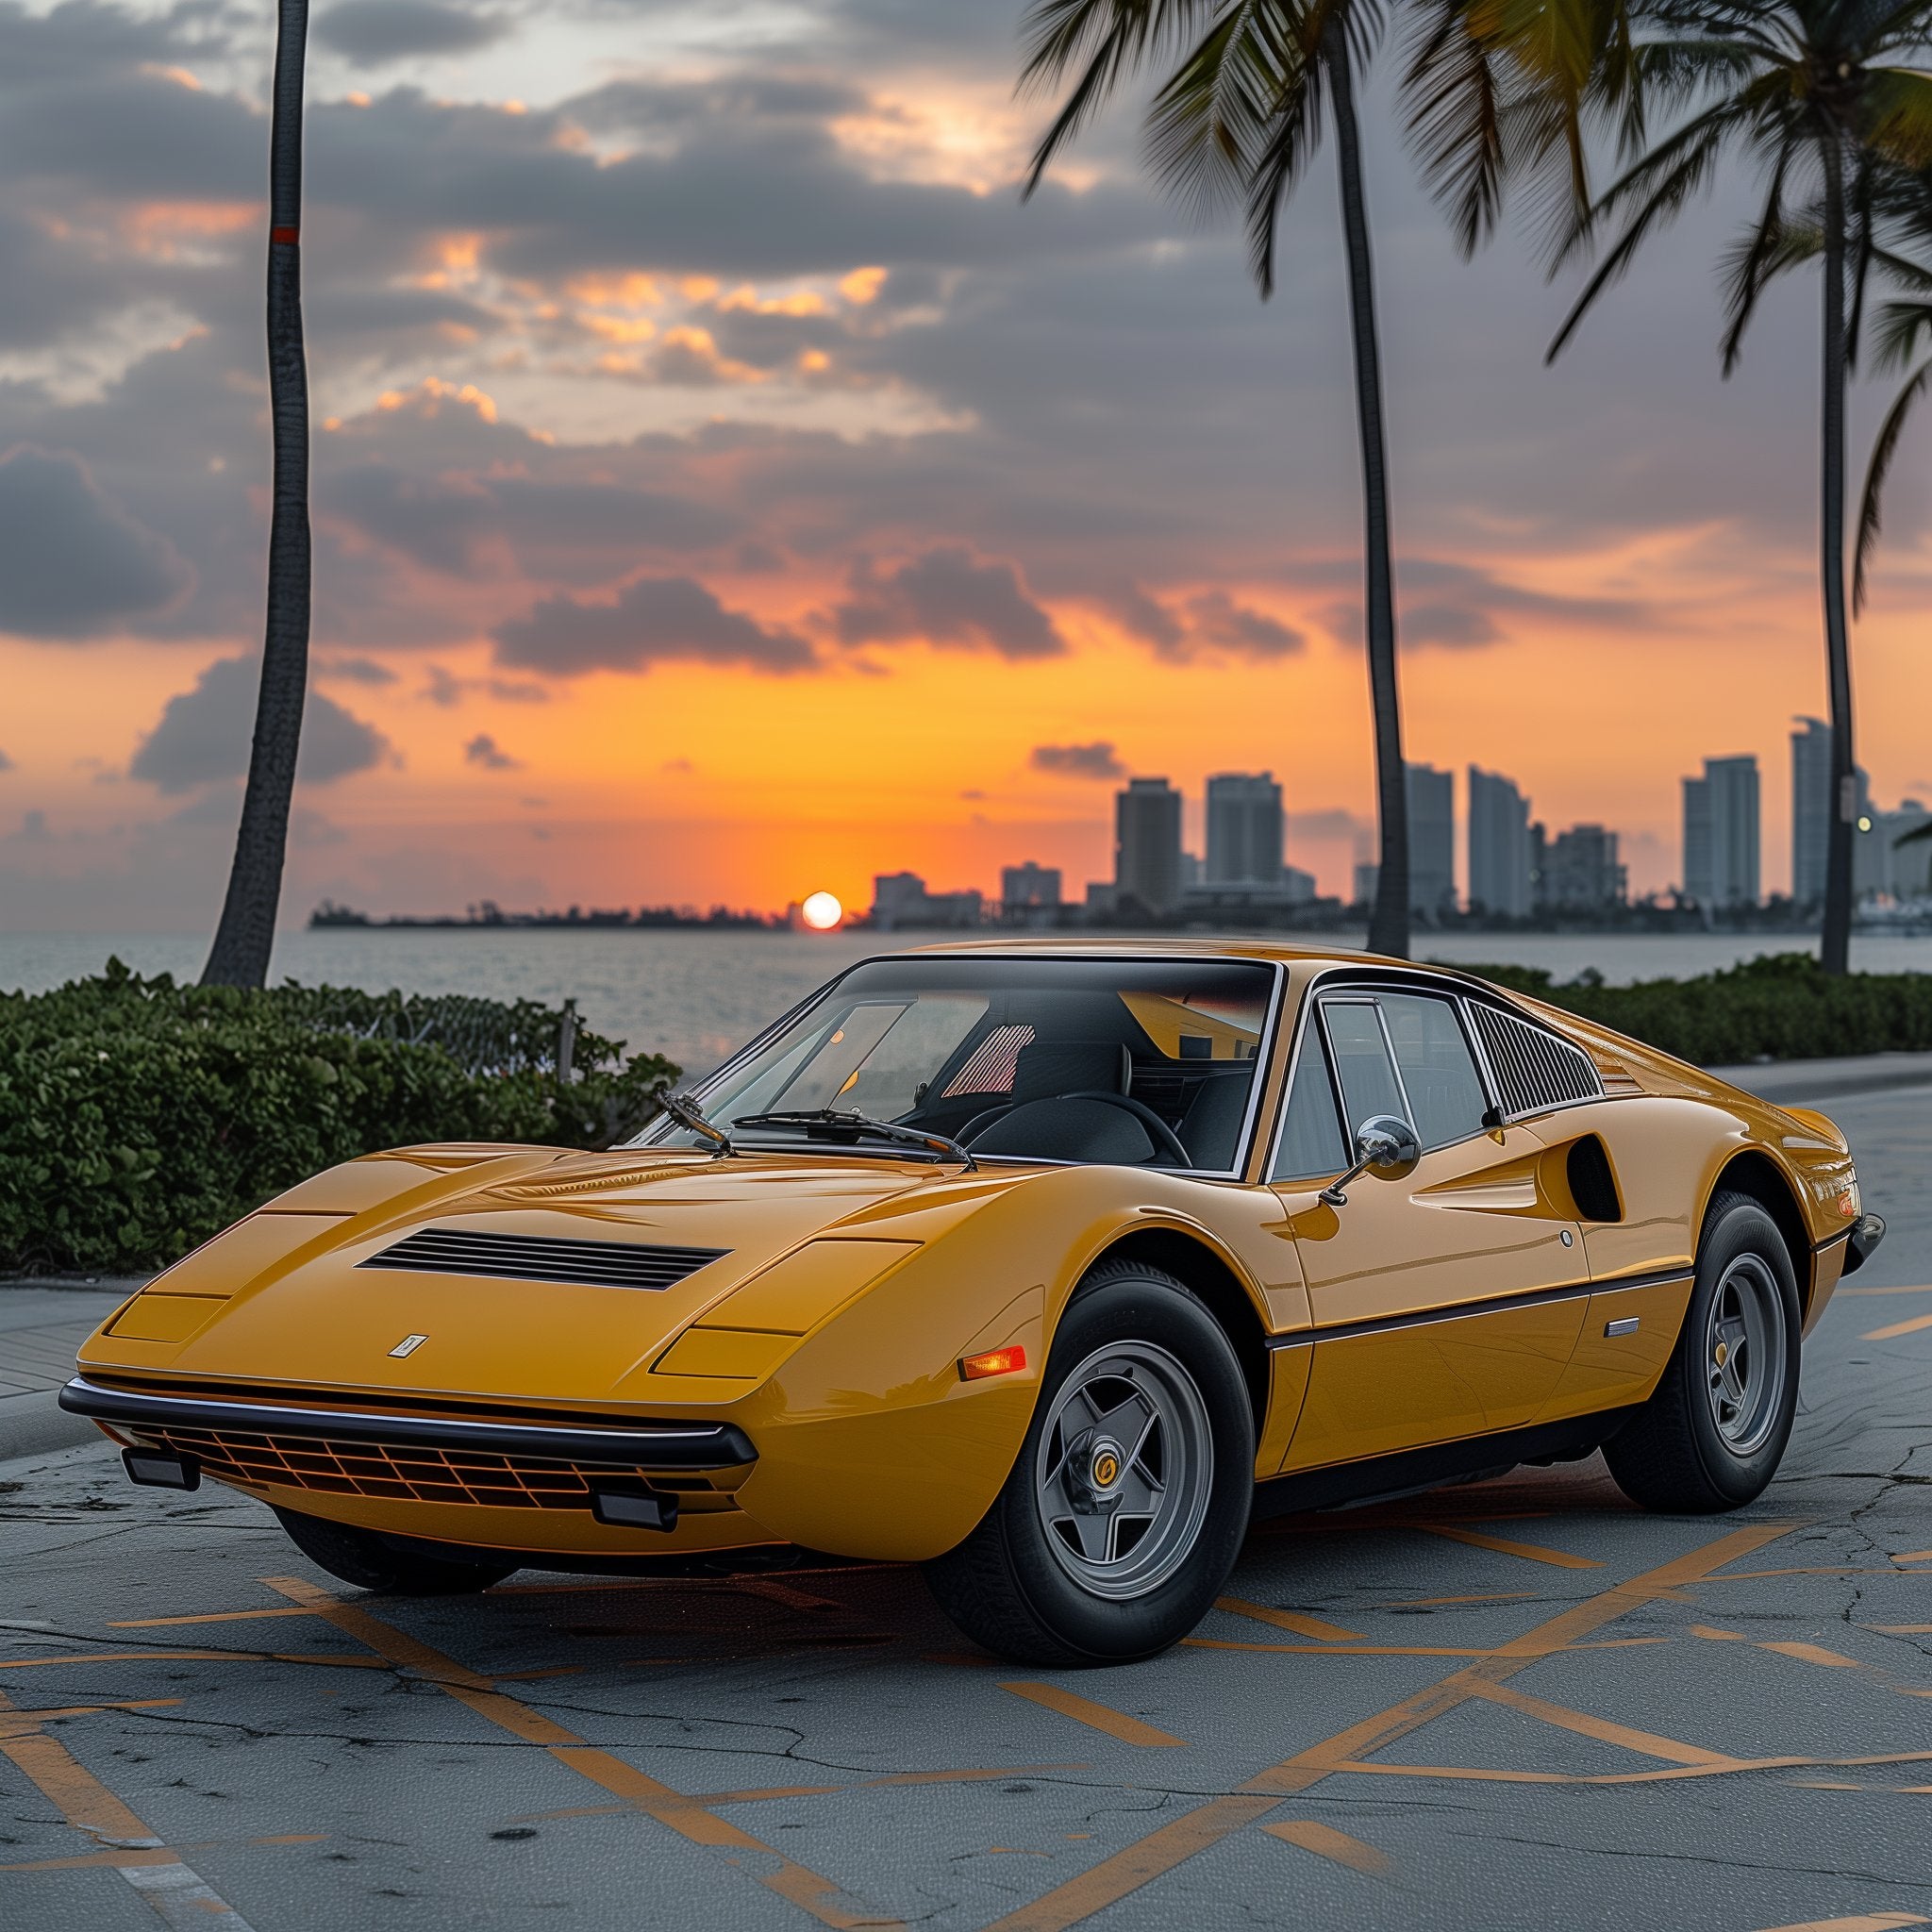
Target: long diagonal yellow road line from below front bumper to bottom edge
[(789, 1881)]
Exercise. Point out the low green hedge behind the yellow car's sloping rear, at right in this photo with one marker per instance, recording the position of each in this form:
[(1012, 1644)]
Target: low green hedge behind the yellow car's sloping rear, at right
[(1780, 1008)]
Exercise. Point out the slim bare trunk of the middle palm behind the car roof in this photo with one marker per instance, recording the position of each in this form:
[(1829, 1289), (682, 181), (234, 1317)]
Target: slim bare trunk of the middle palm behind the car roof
[(1388, 928)]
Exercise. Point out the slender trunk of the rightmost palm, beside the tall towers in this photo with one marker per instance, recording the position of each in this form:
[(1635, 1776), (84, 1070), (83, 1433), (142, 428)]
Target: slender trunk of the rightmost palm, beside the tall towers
[(1834, 950)]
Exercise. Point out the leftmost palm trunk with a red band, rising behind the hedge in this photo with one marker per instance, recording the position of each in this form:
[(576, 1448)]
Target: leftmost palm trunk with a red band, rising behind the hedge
[(246, 932)]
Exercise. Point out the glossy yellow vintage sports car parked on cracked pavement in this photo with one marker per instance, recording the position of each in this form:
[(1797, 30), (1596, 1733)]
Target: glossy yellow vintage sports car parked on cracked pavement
[(1038, 1264)]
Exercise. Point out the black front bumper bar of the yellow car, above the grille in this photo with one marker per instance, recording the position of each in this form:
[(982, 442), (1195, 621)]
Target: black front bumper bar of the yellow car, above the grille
[(650, 1444)]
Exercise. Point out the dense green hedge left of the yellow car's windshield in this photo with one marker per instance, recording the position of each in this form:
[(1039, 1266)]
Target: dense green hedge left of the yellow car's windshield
[(138, 1118)]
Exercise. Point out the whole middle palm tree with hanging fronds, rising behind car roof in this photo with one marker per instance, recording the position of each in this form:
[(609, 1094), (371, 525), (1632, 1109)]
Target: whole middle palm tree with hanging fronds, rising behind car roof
[(1489, 92)]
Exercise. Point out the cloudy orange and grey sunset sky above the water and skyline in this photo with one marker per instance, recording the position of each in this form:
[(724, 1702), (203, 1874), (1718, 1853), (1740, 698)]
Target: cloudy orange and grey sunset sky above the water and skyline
[(725, 488)]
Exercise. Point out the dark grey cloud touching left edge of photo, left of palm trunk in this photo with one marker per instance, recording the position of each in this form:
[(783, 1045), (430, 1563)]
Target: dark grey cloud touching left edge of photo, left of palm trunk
[(72, 563)]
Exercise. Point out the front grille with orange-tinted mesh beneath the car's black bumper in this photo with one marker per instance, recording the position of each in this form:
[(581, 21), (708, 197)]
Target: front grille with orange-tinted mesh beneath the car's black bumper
[(393, 1471)]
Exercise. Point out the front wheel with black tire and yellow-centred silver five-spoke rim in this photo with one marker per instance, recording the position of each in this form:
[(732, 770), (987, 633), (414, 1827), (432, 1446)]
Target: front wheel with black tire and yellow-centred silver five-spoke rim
[(1031, 1593)]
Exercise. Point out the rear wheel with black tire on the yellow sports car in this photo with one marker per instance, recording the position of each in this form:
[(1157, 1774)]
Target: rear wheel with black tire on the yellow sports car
[(1682, 1454)]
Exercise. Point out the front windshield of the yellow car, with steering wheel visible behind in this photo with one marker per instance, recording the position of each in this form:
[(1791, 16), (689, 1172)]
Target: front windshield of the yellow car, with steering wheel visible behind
[(1145, 1064)]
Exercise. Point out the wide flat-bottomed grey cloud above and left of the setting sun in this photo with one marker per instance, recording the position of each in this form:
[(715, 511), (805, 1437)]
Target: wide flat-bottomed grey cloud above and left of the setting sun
[(654, 621)]
